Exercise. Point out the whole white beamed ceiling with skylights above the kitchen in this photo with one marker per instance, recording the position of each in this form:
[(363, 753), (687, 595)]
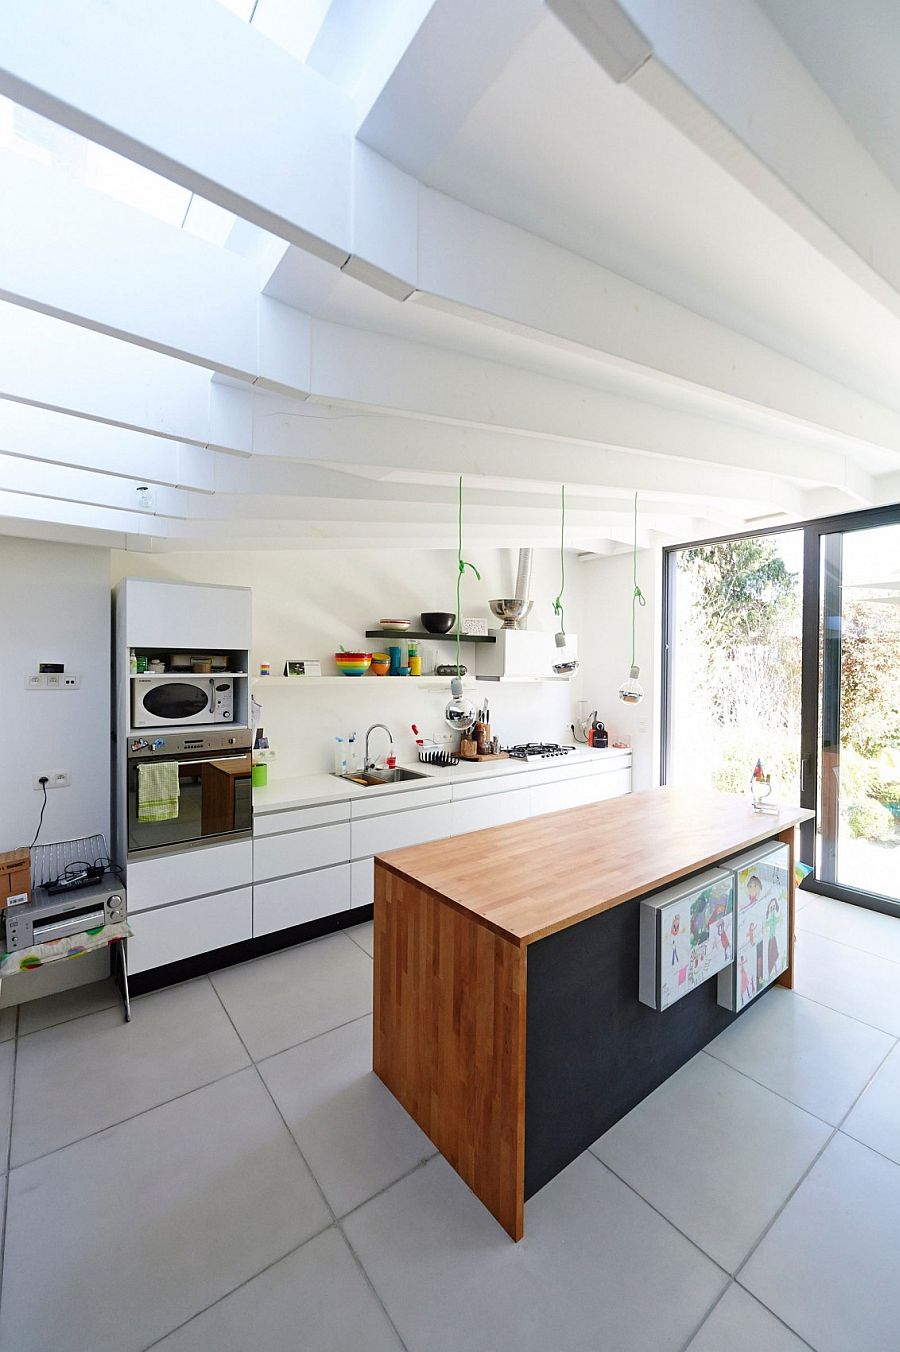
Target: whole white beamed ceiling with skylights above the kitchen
[(786, 409)]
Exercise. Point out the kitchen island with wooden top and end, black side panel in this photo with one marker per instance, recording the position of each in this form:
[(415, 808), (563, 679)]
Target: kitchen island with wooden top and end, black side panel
[(506, 980)]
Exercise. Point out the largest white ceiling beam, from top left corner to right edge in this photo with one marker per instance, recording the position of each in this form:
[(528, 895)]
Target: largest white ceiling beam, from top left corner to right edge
[(95, 71)]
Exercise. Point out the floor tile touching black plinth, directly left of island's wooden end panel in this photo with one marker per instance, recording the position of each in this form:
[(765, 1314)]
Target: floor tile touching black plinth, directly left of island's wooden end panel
[(290, 997)]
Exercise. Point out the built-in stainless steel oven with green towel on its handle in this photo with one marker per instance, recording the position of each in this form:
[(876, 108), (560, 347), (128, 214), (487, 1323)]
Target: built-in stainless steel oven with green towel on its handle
[(189, 788)]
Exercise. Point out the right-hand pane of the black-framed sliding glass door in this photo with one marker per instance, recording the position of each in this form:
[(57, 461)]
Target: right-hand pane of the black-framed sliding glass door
[(859, 733)]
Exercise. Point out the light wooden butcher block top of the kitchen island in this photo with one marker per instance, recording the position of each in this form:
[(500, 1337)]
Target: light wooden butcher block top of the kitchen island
[(541, 875)]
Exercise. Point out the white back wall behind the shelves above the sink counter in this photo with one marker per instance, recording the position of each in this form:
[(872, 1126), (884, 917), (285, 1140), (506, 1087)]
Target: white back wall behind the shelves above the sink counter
[(307, 604)]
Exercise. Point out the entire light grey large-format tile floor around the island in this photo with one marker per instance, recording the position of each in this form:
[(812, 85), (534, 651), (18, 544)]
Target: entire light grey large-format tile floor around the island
[(226, 1174)]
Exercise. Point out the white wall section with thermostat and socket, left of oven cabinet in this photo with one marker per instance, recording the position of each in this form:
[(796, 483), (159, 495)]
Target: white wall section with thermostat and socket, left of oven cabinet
[(55, 606)]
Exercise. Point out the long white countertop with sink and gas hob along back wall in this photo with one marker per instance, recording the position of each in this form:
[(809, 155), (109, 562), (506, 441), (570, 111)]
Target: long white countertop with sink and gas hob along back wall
[(310, 790)]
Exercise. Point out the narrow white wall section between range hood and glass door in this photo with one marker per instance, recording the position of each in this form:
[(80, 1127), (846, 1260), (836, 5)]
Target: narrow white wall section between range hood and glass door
[(605, 648)]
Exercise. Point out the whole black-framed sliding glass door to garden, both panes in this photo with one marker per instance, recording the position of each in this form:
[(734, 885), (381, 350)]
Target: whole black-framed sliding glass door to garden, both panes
[(786, 647)]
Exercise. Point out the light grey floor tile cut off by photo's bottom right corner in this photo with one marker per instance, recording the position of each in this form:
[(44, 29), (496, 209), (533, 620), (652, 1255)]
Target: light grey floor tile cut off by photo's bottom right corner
[(829, 1266)]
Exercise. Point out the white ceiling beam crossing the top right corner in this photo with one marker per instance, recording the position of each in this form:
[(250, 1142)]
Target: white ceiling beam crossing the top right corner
[(728, 79)]
